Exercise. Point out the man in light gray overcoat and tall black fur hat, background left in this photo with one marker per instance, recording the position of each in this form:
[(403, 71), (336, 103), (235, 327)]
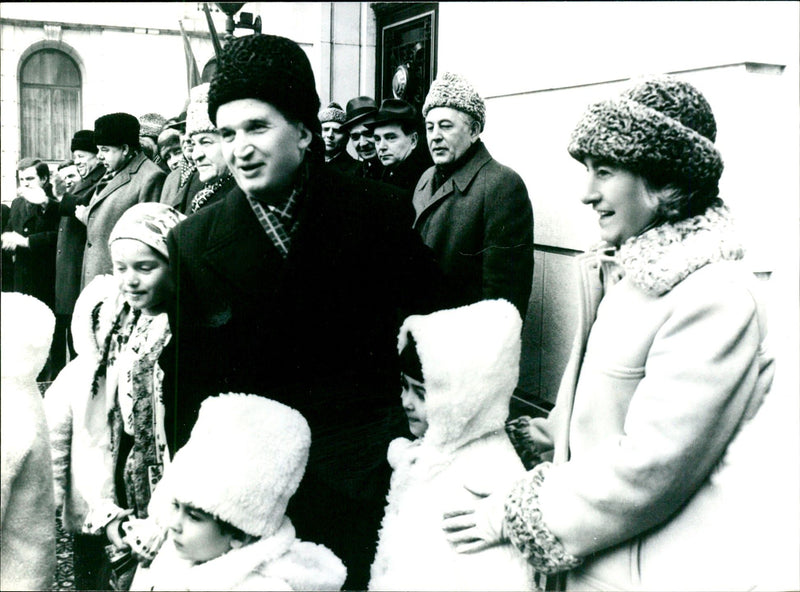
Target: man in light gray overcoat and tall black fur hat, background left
[(131, 178)]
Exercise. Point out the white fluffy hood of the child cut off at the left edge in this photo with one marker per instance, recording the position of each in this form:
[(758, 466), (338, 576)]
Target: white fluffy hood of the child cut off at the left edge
[(27, 331)]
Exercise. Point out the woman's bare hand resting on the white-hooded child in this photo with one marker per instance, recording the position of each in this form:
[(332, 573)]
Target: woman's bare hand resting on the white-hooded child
[(479, 525)]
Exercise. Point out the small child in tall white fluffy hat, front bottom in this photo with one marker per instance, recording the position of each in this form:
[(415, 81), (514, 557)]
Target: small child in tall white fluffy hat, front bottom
[(224, 500)]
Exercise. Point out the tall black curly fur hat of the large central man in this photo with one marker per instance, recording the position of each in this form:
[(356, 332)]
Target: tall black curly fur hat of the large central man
[(272, 69)]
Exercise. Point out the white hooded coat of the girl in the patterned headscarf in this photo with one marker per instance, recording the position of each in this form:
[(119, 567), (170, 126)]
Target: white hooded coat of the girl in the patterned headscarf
[(83, 459)]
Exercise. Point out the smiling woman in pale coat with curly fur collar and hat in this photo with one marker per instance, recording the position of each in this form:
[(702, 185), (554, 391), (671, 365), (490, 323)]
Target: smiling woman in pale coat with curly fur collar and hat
[(670, 365)]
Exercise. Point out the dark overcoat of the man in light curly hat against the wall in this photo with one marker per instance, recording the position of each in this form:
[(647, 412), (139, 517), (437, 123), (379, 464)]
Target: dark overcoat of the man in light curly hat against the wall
[(479, 224)]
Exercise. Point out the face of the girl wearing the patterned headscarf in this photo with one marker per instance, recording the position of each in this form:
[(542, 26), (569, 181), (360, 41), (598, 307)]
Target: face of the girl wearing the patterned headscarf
[(143, 275)]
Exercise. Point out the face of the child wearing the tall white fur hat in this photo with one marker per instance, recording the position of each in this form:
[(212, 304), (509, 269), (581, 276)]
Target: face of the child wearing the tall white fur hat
[(197, 535)]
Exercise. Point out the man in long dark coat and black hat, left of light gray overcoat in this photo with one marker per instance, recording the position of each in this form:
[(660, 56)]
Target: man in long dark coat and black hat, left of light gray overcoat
[(72, 240)]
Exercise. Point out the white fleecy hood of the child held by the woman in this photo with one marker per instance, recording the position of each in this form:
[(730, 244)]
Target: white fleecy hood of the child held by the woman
[(470, 363)]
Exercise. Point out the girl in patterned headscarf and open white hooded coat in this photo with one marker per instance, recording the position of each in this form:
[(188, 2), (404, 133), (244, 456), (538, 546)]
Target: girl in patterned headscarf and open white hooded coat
[(105, 409)]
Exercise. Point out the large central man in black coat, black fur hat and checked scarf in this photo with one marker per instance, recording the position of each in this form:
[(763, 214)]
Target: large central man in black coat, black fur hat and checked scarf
[(293, 287)]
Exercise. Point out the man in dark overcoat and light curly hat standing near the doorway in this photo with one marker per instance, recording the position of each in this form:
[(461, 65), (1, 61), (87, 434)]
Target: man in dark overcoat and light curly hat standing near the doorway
[(471, 210)]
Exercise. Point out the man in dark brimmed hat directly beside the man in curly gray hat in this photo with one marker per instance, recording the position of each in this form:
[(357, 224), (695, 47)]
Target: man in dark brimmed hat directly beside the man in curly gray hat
[(395, 133)]
